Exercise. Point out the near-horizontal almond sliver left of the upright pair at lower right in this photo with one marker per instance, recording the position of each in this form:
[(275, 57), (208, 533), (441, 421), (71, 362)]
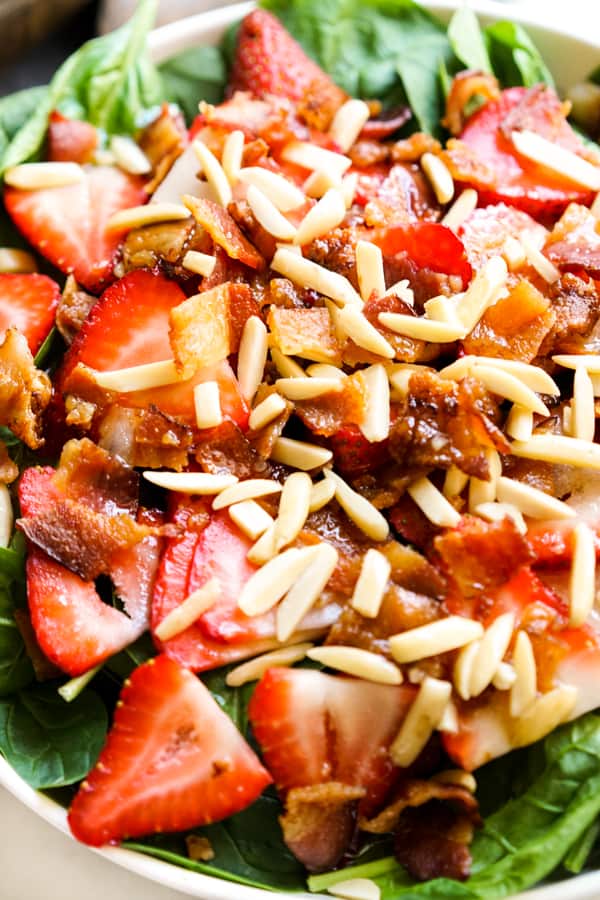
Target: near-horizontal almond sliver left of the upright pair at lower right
[(440, 636)]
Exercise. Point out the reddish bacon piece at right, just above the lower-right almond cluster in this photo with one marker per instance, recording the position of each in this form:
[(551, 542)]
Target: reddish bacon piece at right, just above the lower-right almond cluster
[(480, 555)]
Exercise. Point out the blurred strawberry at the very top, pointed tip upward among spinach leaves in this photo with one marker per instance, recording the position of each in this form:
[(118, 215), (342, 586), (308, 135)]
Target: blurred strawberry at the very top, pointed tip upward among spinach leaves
[(269, 61)]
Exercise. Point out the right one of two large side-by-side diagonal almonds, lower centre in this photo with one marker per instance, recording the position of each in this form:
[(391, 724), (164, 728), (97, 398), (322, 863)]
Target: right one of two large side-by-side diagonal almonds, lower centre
[(306, 590)]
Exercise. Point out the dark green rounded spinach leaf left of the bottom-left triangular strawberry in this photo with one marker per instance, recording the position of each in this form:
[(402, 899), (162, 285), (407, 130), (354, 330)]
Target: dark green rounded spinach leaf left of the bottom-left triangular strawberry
[(51, 743)]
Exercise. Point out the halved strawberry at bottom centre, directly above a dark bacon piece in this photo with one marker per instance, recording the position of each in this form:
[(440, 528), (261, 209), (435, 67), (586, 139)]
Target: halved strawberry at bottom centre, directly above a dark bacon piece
[(314, 728)]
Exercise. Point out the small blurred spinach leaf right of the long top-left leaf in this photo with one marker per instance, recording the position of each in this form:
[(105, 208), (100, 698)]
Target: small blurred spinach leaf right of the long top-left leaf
[(196, 74)]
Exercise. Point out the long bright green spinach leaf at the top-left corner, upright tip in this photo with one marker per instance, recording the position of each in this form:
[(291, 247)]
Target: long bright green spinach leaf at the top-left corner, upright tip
[(109, 81)]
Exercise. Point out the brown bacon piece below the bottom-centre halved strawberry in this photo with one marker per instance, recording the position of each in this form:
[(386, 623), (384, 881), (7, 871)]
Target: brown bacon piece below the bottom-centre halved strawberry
[(319, 822)]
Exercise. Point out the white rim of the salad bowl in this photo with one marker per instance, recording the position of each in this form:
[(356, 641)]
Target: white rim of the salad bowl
[(164, 42)]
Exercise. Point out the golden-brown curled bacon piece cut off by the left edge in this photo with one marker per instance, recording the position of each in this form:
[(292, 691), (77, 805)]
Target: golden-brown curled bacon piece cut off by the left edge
[(24, 390)]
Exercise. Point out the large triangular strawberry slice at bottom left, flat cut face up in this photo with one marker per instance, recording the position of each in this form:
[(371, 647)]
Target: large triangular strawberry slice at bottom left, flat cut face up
[(172, 760)]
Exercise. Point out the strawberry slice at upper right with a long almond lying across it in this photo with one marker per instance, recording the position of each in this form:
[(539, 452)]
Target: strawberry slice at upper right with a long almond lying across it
[(517, 181)]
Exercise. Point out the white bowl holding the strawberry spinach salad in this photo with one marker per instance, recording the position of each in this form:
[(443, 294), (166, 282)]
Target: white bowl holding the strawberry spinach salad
[(570, 58)]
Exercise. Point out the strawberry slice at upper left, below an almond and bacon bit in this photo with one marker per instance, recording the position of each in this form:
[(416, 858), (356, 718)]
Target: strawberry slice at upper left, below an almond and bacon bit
[(67, 225)]
